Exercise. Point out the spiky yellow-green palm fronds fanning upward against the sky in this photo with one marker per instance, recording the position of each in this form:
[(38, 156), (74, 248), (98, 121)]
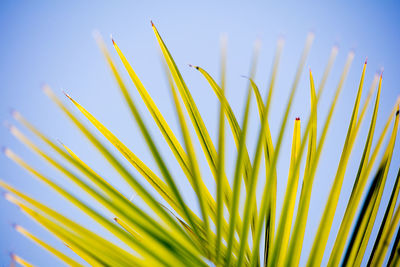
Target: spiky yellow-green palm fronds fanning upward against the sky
[(173, 234)]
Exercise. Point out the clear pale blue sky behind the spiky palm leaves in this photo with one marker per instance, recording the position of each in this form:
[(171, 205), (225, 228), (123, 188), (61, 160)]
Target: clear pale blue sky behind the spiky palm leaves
[(51, 42)]
